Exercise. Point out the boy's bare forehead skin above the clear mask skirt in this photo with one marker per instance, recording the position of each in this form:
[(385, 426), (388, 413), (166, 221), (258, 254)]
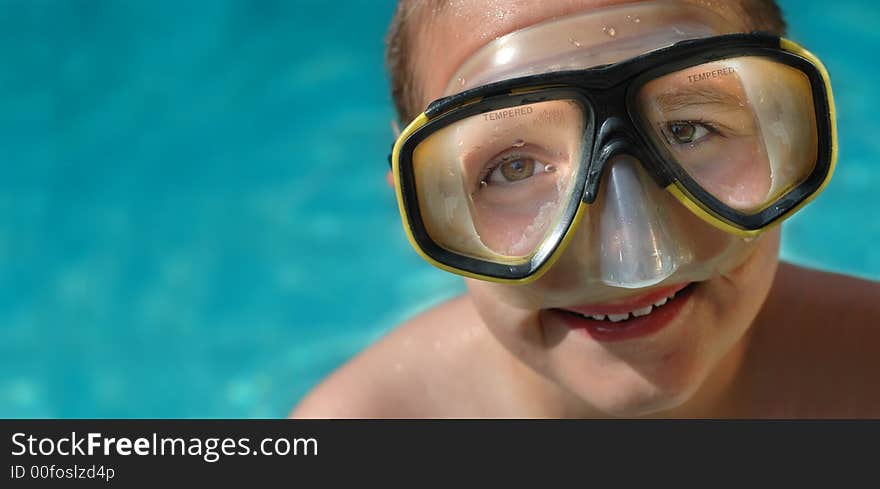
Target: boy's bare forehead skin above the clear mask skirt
[(446, 36)]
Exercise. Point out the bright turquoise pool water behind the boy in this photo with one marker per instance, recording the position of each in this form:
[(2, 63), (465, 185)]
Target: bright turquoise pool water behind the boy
[(194, 220)]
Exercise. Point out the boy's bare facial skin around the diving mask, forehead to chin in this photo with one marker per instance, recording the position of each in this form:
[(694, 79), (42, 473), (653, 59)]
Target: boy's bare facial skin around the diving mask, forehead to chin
[(659, 365)]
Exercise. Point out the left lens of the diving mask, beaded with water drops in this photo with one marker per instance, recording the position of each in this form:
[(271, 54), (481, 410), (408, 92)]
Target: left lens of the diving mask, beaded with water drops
[(495, 185)]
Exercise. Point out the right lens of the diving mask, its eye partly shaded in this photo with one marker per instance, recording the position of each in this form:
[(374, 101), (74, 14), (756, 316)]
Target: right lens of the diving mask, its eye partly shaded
[(743, 128)]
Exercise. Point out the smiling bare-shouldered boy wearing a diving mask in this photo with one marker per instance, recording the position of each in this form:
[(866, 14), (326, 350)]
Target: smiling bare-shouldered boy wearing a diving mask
[(617, 227)]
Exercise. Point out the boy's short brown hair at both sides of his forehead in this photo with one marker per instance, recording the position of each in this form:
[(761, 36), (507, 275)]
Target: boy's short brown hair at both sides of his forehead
[(761, 15)]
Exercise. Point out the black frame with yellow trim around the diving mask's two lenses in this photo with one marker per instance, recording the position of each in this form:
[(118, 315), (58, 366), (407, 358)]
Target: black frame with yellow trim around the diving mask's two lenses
[(613, 126)]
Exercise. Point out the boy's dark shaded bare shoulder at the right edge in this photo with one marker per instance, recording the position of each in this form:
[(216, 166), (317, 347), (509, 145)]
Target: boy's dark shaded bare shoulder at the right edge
[(815, 347)]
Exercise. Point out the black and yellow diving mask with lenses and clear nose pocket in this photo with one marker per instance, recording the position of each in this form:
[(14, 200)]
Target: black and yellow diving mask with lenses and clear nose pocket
[(492, 182)]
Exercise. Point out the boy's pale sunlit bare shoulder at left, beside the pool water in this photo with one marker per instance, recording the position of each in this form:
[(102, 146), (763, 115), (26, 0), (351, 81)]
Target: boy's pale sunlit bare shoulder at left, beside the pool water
[(423, 368)]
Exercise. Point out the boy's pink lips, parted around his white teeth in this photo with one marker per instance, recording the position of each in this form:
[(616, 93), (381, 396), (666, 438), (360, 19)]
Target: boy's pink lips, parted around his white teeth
[(636, 327)]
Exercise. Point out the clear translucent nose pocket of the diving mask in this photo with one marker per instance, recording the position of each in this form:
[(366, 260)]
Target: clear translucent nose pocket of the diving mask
[(636, 243)]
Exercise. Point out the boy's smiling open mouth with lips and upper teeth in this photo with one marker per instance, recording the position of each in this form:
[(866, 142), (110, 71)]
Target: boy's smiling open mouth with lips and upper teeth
[(633, 318)]
